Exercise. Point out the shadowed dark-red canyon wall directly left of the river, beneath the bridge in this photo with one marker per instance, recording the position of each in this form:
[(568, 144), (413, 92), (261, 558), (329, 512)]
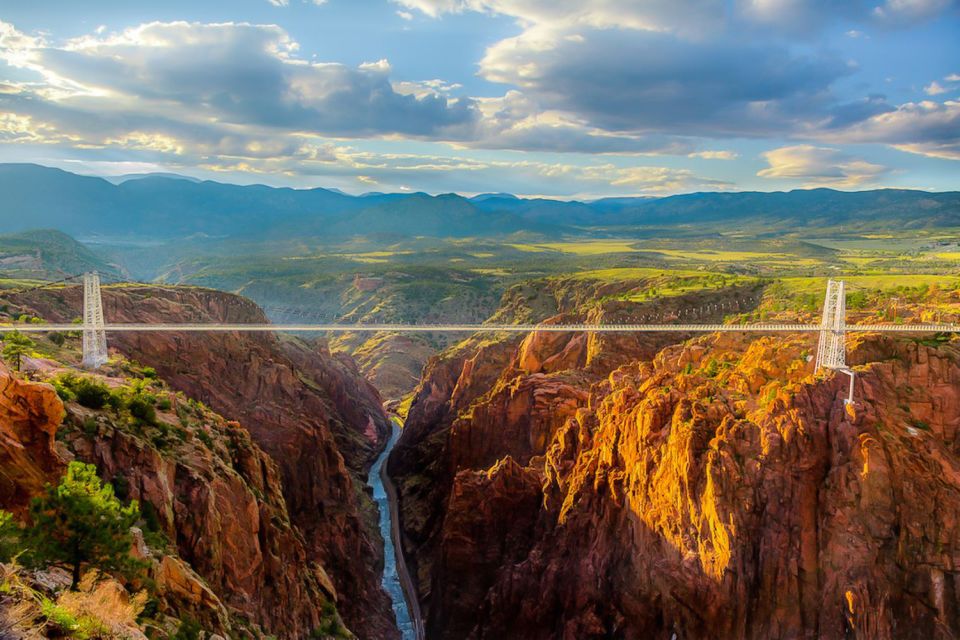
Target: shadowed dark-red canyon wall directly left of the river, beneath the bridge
[(309, 410)]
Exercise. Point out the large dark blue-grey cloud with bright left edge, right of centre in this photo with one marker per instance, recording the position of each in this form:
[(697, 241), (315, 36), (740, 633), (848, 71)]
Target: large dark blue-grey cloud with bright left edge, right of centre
[(651, 82)]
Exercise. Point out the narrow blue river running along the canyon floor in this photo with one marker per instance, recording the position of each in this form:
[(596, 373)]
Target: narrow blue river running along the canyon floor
[(396, 580)]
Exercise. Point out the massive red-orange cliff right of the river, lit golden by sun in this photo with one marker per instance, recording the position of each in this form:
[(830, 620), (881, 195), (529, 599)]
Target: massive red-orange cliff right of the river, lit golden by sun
[(715, 488)]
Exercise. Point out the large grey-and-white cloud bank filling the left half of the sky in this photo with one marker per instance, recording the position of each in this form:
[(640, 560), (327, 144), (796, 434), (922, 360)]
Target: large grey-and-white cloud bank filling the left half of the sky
[(196, 81)]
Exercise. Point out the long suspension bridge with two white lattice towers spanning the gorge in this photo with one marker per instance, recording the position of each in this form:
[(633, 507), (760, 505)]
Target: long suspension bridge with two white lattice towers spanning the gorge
[(831, 350)]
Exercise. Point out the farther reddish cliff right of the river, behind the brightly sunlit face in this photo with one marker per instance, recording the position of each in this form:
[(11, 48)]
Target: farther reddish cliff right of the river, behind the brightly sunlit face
[(494, 396)]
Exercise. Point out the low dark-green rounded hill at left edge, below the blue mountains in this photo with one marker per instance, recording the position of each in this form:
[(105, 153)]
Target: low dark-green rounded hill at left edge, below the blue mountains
[(48, 253)]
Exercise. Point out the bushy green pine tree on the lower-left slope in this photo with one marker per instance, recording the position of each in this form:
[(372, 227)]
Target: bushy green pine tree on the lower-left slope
[(81, 522)]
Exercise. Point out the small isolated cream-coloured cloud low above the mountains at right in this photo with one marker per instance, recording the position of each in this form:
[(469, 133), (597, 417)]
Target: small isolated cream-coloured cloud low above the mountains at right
[(820, 166)]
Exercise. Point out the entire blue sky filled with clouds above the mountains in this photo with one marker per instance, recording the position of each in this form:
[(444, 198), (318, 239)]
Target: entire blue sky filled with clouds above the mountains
[(555, 98)]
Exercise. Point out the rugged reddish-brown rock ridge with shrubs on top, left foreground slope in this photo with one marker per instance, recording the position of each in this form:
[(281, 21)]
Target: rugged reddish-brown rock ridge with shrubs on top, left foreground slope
[(217, 498)]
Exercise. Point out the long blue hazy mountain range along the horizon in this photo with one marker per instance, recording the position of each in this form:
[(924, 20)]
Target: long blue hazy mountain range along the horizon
[(165, 207)]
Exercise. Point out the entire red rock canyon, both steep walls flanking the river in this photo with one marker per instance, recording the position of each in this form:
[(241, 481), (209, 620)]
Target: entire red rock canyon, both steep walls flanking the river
[(550, 485)]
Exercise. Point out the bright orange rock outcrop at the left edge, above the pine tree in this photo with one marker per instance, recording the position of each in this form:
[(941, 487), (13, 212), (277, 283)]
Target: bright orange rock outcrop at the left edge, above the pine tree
[(29, 416)]
